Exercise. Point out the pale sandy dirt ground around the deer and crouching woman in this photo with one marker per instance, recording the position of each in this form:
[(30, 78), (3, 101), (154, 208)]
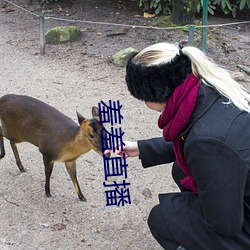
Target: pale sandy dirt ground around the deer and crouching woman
[(74, 77)]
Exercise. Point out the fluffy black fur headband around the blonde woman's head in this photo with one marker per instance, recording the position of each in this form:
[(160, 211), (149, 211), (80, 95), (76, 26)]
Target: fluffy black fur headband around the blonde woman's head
[(156, 83)]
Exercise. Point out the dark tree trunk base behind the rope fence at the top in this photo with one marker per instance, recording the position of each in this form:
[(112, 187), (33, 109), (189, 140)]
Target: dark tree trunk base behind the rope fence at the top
[(183, 11)]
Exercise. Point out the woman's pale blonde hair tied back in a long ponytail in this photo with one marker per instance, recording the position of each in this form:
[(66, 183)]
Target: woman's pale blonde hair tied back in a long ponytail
[(202, 67)]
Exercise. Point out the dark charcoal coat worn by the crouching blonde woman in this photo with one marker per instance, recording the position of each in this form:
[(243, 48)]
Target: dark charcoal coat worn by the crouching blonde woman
[(216, 145)]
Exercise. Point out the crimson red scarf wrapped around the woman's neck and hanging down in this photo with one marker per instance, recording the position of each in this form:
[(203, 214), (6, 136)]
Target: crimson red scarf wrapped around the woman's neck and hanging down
[(174, 119)]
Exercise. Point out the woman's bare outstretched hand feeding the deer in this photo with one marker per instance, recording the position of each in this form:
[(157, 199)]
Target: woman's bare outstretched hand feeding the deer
[(130, 150)]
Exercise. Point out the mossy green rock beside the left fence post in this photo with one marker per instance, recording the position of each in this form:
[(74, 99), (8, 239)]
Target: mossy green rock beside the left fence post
[(63, 34)]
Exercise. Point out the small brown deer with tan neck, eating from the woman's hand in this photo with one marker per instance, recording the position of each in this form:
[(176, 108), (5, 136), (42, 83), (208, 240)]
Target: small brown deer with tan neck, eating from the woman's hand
[(59, 138)]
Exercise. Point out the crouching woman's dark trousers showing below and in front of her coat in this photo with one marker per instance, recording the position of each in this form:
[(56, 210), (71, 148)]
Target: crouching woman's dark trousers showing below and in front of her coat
[(156, 223)]
